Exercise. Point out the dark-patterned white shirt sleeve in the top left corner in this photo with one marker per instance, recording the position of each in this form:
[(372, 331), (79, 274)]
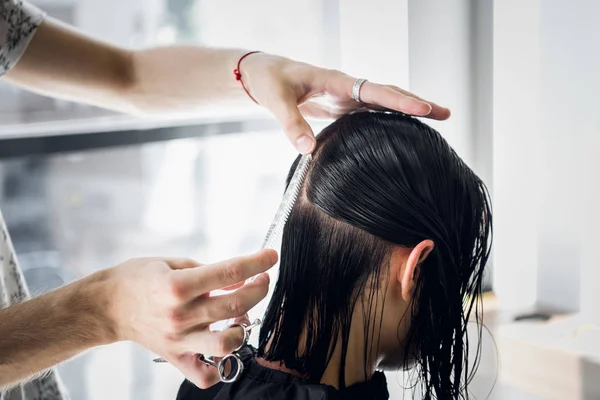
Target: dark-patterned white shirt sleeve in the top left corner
[(18, 22)]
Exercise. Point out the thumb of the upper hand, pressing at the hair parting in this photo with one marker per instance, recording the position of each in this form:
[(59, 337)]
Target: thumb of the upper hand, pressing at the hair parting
[(295, 126)]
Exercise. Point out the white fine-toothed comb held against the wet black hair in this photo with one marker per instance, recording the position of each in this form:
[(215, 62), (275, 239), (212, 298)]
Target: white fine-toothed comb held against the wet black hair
[(287, 203)]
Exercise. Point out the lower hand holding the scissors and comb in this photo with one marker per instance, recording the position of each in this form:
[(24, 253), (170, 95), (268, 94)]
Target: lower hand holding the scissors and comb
[(165, 306)]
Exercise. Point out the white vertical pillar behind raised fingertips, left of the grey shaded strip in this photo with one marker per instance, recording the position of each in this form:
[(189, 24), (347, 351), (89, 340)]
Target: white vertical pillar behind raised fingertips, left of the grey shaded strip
[(441, 65)]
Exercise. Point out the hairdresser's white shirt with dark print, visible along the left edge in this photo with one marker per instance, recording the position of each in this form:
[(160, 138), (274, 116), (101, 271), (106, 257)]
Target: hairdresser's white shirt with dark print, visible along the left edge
[(18, 23)]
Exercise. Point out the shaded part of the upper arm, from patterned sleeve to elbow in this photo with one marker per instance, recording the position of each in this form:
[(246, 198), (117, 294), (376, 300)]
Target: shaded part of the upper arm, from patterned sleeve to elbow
[(63, 63)]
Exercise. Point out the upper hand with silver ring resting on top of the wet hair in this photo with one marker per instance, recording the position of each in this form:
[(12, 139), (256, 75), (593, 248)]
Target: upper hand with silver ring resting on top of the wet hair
[(292, 90)]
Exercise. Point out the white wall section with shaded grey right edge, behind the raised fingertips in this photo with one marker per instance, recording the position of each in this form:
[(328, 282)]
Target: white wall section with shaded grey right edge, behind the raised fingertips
[(450, 59)]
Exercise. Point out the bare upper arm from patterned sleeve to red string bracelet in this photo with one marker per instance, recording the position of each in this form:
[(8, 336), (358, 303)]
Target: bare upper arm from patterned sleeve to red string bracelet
[(64, 63)]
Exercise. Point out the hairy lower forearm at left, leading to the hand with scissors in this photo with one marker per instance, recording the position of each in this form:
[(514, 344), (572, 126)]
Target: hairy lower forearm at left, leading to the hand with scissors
[(40, 333)]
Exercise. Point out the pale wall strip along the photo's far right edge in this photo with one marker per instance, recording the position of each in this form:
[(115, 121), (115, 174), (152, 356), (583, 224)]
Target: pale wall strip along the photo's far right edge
[(571, 85)]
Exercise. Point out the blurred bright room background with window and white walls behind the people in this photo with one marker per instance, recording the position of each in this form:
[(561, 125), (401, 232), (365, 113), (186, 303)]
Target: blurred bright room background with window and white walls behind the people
[(83, 189)]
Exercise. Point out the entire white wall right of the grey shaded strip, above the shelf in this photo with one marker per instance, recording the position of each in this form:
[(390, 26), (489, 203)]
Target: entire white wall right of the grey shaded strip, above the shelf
[(546, 136)]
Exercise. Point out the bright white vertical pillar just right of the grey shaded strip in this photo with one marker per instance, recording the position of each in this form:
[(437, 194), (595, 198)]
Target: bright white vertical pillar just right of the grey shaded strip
[(517, 153)]
